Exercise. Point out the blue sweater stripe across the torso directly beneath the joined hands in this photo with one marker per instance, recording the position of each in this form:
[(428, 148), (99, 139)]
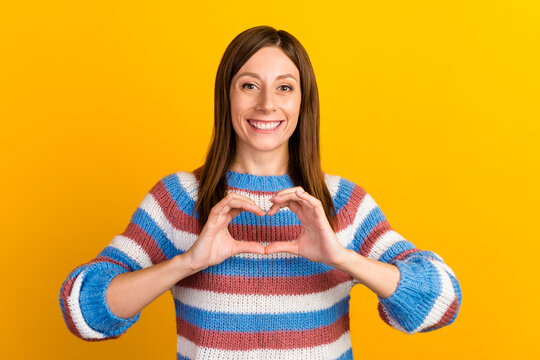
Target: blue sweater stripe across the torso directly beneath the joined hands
[(267, 267)]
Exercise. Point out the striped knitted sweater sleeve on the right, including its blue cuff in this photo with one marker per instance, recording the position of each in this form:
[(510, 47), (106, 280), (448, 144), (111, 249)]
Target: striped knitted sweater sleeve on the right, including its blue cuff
[(428, 295)]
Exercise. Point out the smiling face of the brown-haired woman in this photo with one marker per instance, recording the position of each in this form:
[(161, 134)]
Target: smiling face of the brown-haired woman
[(265, 92)]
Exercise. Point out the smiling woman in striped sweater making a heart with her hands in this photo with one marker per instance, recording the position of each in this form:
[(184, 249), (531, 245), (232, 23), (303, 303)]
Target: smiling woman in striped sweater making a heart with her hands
[(259, 247)]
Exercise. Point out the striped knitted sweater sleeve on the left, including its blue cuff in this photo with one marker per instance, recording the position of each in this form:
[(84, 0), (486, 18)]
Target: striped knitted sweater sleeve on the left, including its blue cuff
[(145, 242)]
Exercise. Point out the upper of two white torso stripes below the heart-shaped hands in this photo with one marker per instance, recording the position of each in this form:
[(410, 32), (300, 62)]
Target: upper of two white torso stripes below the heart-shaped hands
[(265, 304)]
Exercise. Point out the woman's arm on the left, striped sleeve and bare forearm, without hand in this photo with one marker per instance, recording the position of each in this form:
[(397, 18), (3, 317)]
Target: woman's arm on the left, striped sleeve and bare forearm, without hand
[(102, 298)]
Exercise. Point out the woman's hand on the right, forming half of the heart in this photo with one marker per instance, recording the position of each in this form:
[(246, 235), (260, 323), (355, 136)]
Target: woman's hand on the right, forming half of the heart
[(317, 242)]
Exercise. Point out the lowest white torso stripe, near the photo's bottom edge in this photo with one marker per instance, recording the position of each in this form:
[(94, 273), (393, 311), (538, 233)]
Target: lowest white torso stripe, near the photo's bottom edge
[(326, 351)]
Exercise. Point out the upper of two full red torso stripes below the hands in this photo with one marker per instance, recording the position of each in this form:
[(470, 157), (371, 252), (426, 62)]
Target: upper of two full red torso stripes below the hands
[(265, 285)]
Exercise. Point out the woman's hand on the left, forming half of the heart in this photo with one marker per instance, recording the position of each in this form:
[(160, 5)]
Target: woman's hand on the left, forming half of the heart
[(215, 243)]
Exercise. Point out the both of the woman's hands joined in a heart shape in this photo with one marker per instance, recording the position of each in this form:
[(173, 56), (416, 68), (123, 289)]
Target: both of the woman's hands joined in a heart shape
[(317, 241)]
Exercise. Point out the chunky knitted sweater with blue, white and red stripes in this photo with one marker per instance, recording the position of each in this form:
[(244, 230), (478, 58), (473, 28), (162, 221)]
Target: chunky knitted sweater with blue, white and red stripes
[(251, 306)]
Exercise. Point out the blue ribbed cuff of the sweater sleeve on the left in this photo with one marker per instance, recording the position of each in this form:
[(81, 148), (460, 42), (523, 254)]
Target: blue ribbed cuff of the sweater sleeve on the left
[(92, 301)]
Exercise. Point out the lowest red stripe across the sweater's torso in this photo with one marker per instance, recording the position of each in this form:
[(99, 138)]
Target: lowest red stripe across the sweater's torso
[(292, 339)]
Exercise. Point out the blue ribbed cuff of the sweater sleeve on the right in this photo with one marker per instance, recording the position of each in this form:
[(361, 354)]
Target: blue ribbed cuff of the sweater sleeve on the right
[(415, 295)]
